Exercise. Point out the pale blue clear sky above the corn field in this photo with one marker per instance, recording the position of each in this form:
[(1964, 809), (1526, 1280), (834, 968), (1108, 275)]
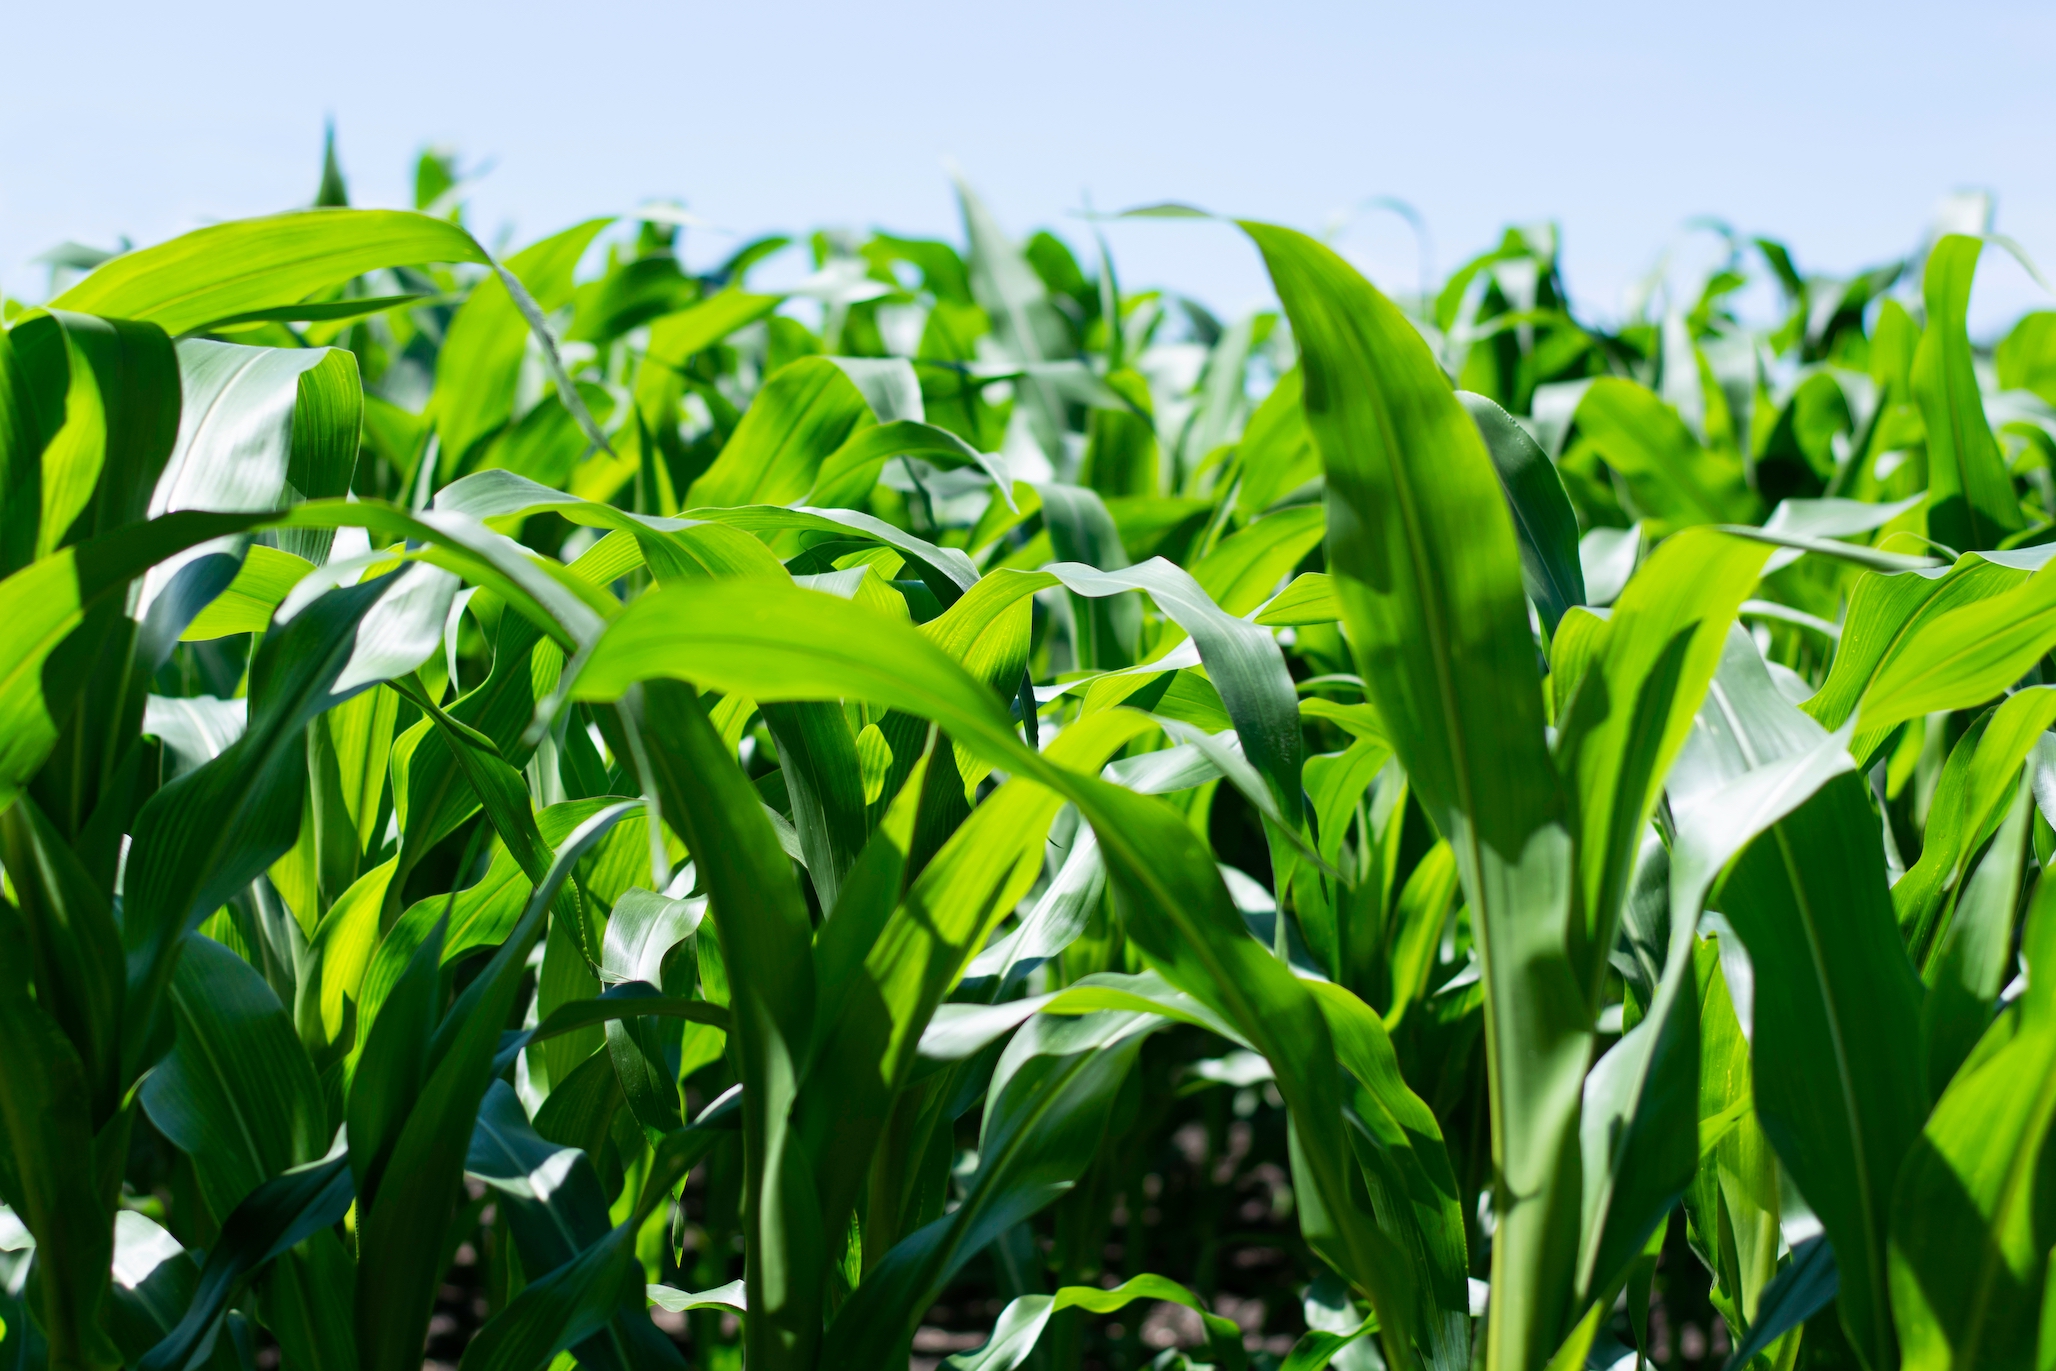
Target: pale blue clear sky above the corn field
[(1831, 126)]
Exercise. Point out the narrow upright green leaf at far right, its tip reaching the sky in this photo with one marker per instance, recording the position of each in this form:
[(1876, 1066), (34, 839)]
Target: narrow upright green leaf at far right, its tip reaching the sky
[(1971, 494)]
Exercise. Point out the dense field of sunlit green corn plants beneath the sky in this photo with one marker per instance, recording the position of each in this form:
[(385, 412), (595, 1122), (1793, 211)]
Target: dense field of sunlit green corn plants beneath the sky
[(544, 790)]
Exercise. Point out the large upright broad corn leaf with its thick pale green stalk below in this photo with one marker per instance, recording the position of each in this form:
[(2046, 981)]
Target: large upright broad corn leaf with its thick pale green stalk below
[(1428, 570)]
